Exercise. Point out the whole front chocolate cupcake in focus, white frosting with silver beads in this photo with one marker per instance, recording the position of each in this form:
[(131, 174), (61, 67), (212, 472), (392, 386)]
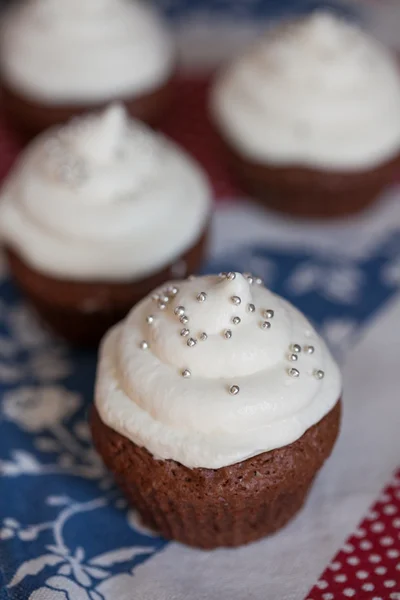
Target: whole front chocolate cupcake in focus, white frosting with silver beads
[(216, 412)]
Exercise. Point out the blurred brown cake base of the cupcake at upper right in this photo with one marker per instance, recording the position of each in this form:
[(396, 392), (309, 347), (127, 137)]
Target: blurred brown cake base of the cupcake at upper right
[(312, 193)]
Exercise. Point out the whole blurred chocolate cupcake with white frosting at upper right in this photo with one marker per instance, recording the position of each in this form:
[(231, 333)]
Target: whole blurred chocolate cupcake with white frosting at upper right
[(311, 117)]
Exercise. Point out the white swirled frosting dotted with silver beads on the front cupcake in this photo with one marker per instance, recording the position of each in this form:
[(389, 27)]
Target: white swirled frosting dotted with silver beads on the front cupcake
[(214, 370)]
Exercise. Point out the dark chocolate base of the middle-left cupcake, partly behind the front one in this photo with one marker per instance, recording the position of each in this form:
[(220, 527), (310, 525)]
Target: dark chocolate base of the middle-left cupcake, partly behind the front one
[(82, 312)]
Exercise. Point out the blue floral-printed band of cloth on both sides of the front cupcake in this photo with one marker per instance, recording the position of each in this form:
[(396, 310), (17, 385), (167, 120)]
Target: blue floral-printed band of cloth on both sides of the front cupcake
[(65, 531)]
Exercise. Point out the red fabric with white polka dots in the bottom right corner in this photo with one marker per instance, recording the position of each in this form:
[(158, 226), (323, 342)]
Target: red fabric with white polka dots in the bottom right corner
[(368, 565)]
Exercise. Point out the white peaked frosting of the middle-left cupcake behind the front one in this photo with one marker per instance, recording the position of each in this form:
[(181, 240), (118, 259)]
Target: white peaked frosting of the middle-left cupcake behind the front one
[(103, 198)]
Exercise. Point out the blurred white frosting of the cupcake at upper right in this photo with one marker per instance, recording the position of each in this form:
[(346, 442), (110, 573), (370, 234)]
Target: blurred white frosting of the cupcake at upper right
[(317, 92)]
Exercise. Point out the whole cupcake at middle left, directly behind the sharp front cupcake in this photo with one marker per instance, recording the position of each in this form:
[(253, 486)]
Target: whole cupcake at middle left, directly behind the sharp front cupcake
[(97, 213)]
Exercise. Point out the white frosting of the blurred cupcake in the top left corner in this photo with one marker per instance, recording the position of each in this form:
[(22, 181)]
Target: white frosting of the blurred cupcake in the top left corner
[(84, 51)]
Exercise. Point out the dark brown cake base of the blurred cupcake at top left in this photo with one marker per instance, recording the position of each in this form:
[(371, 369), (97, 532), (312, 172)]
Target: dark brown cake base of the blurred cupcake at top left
[(31, 117)]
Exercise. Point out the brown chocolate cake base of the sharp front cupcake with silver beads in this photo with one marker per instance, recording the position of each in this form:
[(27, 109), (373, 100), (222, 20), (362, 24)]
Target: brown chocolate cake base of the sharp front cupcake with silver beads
[(230, 506)]
